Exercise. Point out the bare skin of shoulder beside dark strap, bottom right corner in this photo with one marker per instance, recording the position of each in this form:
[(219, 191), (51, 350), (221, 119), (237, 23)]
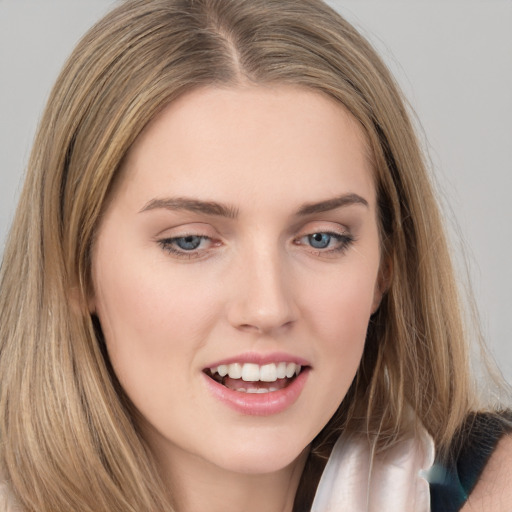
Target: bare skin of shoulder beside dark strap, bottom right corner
[(493, 492)]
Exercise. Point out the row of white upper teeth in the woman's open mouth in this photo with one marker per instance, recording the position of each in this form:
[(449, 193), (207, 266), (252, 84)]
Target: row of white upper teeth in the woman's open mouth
[(250, 372)]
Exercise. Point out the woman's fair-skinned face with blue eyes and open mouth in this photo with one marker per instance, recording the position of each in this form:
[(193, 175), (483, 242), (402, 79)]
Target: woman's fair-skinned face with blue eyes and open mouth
[(239, 249)]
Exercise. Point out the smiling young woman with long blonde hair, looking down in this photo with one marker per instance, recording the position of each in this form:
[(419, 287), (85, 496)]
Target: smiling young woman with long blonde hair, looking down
[(227, 258)]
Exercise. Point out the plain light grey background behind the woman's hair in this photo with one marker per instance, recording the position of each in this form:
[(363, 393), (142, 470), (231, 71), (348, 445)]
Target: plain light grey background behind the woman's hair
[(452, 58)]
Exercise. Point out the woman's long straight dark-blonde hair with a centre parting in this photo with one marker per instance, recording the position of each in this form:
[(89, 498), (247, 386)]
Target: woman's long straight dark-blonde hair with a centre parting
[(68, 436)]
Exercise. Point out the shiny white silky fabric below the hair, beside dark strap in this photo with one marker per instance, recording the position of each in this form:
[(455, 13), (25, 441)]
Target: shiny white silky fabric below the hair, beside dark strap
[(395, 483)]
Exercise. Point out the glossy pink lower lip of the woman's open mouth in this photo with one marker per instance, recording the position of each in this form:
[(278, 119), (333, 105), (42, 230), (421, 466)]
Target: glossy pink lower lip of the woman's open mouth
[(255, 404)]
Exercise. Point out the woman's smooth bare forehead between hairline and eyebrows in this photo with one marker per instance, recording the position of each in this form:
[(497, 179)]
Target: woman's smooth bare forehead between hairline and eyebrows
[(252, 141)]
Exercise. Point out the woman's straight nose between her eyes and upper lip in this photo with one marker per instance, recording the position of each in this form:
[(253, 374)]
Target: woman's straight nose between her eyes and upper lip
[(263, 300)]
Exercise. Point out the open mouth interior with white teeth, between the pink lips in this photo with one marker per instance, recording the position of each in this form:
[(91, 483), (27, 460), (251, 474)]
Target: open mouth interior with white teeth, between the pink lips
[(254, 378)]
